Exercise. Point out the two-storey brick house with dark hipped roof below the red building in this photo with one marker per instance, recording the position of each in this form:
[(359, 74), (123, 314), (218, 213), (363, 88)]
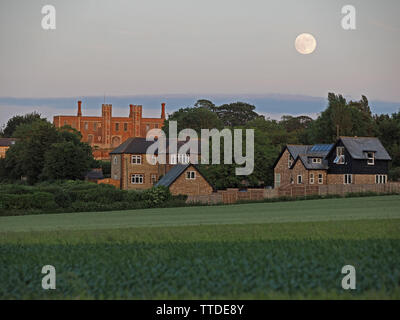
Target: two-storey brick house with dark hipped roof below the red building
[(131, 170)]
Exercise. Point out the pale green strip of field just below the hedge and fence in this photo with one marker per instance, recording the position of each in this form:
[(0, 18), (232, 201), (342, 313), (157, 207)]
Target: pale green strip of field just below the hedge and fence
[(383, 207)]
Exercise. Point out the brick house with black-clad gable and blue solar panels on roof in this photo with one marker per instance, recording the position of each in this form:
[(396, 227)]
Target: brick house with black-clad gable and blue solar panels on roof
[(351, 160)]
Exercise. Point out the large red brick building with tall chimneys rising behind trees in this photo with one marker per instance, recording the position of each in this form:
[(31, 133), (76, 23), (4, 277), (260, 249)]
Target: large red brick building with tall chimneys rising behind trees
[(105, 133)]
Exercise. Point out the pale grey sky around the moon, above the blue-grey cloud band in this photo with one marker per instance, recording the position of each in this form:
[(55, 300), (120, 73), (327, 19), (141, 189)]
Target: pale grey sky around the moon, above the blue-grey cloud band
[(207, 47)]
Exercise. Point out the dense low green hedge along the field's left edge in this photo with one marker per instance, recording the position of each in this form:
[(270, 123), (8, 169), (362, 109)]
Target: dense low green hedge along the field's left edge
[(79, 196)]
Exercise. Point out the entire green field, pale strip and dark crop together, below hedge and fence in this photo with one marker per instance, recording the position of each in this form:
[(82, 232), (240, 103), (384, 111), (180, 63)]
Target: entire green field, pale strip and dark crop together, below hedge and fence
[(262, 250)]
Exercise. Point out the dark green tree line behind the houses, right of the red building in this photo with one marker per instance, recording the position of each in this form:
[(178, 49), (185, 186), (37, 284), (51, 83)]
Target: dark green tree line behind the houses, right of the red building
[(341, 117)]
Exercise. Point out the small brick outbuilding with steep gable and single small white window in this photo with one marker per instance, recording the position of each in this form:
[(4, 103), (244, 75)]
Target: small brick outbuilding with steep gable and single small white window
[(186, 179)]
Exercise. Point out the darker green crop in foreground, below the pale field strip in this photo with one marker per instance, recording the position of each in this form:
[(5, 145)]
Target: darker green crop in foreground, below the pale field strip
[(250, 261)]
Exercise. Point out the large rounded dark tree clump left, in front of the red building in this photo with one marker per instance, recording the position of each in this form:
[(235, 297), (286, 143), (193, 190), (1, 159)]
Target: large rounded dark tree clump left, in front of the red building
[(45, 152)]
